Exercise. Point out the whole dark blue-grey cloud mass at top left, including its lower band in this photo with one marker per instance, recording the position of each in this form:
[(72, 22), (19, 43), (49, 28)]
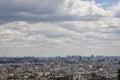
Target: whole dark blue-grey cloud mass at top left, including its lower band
[(28, 10)]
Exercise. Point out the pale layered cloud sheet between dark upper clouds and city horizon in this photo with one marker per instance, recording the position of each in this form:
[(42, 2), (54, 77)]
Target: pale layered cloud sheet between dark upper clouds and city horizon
[(69, 37)]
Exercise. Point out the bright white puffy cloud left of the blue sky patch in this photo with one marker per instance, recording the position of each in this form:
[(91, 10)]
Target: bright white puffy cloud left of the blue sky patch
[(83, 8)]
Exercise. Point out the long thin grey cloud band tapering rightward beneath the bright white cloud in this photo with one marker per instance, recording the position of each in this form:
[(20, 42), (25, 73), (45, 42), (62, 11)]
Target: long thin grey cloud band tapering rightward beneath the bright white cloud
[(46, 18)]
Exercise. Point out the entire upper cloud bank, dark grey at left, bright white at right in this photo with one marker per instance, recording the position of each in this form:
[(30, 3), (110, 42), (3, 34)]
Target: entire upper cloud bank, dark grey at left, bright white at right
[(54, 10)]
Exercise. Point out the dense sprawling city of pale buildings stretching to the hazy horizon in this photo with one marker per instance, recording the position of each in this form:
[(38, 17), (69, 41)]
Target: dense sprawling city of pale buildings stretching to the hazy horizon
[(59, 68)]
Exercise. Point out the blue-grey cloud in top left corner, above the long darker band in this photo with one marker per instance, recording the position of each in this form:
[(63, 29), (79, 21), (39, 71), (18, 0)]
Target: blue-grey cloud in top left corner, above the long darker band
[(37, 6)]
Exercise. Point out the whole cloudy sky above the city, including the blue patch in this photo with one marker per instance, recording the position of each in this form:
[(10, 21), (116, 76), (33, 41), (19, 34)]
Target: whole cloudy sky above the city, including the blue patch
[(48, 28)]
